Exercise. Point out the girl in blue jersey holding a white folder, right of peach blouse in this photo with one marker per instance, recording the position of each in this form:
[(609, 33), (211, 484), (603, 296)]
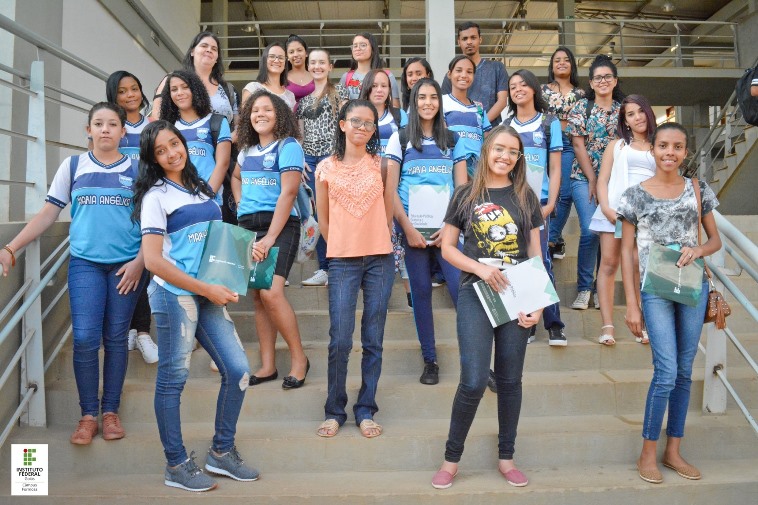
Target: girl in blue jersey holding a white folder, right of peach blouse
[(428, 163)]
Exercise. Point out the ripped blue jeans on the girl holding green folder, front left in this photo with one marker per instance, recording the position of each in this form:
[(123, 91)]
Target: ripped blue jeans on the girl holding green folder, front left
[(180, 320)]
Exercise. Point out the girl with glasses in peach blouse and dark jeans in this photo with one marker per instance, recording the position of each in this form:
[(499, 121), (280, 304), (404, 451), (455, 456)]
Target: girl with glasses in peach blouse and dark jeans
[(355, 215)]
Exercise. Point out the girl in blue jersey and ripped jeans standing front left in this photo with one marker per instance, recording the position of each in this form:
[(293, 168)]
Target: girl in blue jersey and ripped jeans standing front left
[(174, 206)]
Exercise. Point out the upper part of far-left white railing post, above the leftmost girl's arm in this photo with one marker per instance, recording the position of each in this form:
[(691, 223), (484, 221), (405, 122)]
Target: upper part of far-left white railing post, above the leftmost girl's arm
[(36, 162)]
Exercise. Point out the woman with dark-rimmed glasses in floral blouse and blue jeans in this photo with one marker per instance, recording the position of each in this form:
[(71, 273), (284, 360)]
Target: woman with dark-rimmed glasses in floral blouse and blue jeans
[(592, 124)]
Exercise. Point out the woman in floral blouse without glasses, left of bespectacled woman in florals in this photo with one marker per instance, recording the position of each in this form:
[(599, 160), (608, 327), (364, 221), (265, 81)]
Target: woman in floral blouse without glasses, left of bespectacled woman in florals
[(561, 93)]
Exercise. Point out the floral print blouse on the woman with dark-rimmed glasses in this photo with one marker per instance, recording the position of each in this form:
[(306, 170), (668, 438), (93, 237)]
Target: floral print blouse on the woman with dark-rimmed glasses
[(599, 129)]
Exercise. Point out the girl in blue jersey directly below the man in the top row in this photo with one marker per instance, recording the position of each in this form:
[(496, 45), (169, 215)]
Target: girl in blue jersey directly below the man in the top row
[(464, 116)]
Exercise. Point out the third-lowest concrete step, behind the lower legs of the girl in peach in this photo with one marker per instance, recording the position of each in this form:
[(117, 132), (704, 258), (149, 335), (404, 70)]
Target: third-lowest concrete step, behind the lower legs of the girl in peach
[(578, 392)]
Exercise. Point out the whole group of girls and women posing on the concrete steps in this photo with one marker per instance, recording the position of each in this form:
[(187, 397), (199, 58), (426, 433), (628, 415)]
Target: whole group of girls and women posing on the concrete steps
[(364, 182)]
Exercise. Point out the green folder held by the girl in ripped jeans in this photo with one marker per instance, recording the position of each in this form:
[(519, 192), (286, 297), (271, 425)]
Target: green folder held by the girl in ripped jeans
[(227, 256)]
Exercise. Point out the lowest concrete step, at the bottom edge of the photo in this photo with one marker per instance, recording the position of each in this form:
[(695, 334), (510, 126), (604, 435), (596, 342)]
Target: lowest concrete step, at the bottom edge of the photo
[(732, 481)]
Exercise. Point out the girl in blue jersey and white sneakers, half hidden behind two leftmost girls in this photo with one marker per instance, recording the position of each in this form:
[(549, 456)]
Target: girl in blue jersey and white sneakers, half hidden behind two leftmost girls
[(125, 90)]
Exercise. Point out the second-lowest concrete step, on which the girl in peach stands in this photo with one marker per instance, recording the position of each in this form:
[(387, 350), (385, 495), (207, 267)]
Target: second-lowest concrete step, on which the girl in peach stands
[(293, 446)]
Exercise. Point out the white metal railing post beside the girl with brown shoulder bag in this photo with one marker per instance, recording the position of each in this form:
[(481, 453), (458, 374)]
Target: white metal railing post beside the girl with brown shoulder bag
[(714, 391)]
